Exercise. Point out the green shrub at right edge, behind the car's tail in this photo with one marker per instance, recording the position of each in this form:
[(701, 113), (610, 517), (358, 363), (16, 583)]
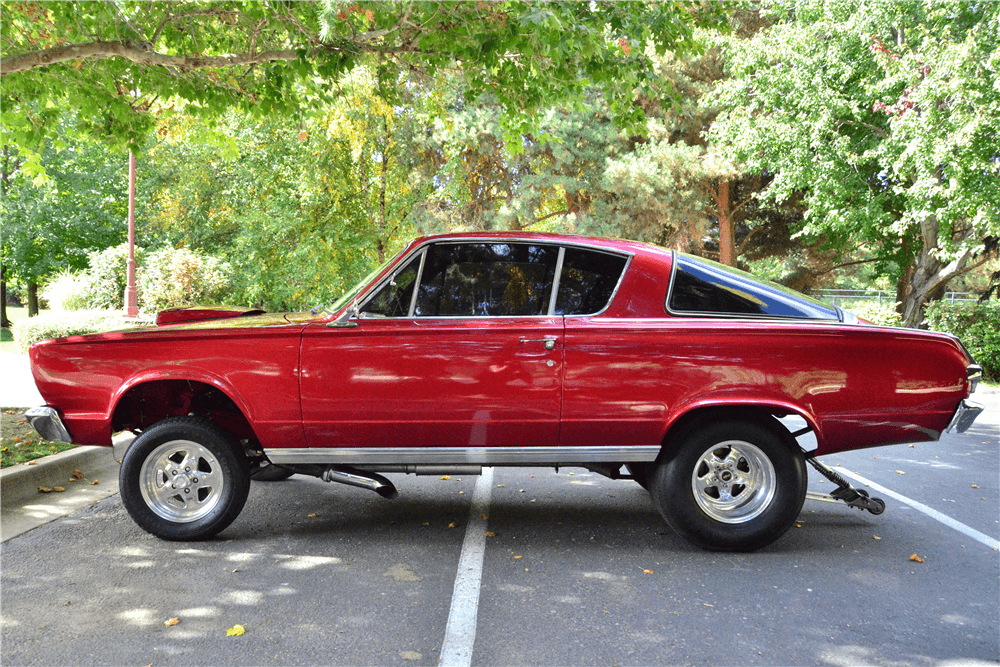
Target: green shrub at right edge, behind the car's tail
[(977, 325)]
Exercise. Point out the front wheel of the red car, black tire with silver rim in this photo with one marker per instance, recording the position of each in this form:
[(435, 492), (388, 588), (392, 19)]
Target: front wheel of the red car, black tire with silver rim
[(211, 472)]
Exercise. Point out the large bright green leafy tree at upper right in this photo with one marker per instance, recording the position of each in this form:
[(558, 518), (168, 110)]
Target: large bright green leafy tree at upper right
[(884, 117)]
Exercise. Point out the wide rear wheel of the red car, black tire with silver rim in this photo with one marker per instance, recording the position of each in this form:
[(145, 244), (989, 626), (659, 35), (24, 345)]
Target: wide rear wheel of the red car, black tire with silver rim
[(731, 486)]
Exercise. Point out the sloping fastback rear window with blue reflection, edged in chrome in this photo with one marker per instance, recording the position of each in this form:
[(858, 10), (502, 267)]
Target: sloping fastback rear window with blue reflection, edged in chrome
[(703, 287)]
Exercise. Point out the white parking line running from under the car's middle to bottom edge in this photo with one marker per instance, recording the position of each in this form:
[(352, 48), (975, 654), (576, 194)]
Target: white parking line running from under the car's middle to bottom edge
[(460, 633)]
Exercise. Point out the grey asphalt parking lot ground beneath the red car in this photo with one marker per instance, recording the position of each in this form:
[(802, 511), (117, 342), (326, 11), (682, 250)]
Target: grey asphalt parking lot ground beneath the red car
[(565, 569)]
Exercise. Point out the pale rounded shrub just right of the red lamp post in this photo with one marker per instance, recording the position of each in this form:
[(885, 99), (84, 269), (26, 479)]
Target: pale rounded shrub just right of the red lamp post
[(180, 277)]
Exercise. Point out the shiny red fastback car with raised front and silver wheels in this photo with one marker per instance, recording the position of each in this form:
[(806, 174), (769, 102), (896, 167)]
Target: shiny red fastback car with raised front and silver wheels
[(488, 349)]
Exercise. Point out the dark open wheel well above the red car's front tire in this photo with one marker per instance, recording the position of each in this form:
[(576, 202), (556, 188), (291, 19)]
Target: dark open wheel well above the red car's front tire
[(150, 402)]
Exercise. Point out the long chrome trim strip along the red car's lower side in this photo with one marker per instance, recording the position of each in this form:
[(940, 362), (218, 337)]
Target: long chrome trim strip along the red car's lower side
[(510, 456)]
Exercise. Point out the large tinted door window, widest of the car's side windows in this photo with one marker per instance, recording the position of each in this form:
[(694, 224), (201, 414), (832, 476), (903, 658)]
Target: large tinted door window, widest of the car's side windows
[(486, 280)]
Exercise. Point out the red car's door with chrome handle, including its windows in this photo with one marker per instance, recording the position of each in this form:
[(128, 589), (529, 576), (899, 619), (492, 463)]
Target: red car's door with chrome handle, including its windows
[(456, 349)]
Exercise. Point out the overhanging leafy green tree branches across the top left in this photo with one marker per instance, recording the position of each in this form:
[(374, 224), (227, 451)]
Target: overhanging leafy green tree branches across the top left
[(120, 63)]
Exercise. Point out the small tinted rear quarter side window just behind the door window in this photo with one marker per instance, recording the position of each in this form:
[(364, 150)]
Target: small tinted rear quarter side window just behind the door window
[(588, 281)]
